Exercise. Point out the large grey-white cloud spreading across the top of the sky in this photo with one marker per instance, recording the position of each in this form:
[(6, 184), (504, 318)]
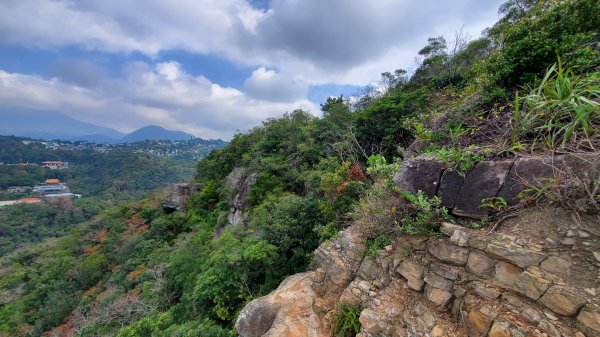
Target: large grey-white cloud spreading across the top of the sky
[(319, 41)]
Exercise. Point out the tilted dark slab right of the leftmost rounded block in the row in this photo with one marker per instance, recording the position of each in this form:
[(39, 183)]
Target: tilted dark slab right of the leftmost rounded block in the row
[(482, 182)]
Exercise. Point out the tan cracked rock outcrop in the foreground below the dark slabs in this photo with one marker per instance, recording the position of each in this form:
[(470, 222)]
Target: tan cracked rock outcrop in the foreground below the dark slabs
[(524, 280)]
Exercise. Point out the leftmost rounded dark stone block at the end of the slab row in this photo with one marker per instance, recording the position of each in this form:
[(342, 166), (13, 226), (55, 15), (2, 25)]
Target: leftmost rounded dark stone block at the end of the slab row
[(420, 173)]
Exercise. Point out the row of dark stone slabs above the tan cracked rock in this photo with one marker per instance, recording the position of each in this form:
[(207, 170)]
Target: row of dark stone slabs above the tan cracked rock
[(463, 193)]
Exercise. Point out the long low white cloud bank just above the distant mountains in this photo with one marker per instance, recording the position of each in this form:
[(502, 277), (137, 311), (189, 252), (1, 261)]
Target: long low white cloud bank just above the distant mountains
[(163, 94)]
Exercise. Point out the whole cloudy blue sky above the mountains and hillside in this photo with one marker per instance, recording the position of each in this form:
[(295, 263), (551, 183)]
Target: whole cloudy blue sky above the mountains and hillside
[(211, 67)]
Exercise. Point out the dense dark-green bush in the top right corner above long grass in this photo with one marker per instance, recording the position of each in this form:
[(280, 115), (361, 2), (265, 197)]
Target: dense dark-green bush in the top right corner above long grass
[(531, 36)]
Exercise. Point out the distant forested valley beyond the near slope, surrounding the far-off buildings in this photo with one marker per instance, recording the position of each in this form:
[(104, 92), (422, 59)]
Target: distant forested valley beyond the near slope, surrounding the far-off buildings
[(104, 180)]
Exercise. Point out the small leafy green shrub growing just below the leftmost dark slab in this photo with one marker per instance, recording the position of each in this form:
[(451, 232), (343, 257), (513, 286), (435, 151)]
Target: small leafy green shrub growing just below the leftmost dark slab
[(424, 215)]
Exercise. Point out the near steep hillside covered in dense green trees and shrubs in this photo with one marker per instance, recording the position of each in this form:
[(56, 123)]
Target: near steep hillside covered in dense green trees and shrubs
[(530, 84)]
